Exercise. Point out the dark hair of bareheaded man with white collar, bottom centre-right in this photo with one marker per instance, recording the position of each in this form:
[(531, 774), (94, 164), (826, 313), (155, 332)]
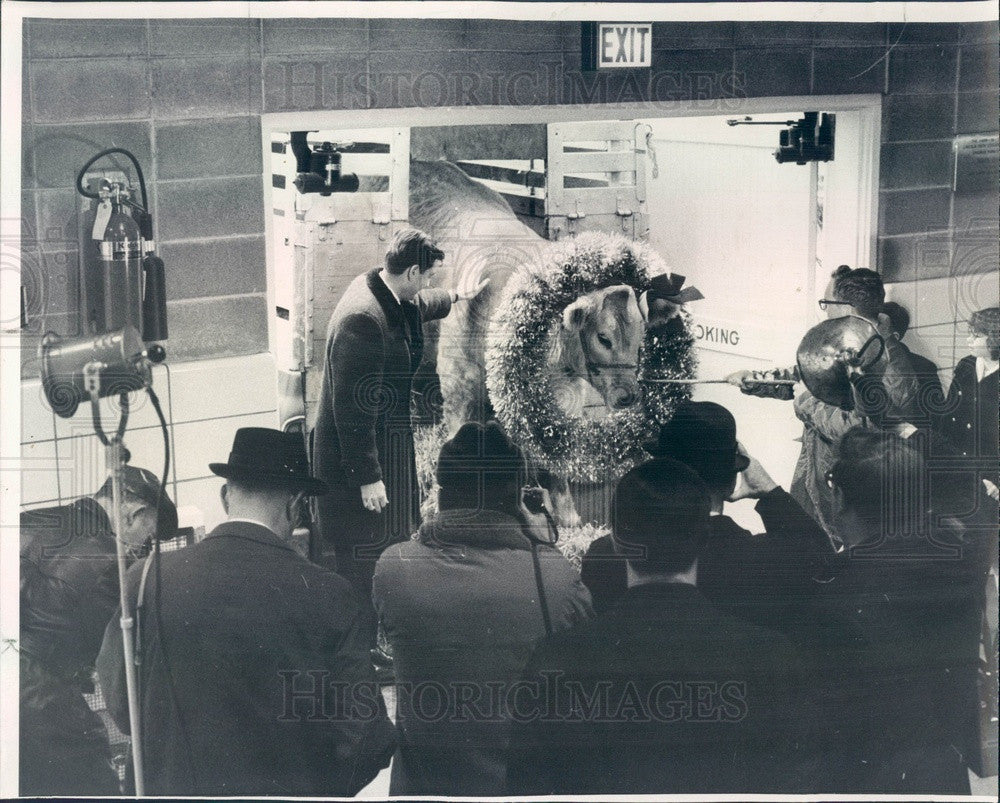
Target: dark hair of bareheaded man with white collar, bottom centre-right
[(660, 517)]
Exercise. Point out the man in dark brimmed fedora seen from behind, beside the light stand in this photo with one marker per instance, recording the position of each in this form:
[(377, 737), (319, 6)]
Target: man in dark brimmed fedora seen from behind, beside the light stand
[(254, 675)]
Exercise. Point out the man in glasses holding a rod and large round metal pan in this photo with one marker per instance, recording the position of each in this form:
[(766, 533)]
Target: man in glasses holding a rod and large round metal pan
[(858, 292)]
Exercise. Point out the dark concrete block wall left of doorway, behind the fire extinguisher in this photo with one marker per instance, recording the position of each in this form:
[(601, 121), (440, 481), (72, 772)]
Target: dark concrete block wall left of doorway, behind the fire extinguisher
[(184, 96)]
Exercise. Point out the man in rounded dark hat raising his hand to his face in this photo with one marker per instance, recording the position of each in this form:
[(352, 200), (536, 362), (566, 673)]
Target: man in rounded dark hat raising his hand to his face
[(757, 577)]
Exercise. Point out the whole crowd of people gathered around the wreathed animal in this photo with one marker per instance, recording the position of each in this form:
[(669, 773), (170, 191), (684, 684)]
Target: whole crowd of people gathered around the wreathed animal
[(834, 652)]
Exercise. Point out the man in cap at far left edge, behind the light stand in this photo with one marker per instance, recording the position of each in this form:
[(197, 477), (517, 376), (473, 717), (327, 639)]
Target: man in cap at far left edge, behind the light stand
[(69, 590)]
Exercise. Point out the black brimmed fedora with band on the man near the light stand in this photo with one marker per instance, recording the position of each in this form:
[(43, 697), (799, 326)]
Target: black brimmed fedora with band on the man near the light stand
[(270, 457)]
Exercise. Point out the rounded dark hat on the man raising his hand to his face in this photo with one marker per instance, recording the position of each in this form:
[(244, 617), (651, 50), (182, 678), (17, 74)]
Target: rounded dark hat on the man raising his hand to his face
[(702, 435)]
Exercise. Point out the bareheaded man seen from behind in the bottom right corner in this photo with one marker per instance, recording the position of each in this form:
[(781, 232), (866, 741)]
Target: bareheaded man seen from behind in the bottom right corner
[(895, 630)]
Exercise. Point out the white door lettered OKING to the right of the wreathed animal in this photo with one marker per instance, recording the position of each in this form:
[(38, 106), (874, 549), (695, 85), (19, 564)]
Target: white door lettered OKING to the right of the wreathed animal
[(759, 239)]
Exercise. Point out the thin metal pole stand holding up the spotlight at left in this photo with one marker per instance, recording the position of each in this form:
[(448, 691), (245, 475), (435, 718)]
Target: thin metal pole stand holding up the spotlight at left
[(115, 462)]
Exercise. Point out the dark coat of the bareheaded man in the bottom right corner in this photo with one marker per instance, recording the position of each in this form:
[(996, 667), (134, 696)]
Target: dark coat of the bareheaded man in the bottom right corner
[(894, 635)]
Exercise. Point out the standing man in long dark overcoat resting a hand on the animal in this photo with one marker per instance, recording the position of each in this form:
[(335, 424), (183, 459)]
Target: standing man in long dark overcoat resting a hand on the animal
[(363, 438)]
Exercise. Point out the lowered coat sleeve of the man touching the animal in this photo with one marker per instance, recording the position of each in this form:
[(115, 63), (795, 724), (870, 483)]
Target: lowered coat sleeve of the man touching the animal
[(355, 361)]
